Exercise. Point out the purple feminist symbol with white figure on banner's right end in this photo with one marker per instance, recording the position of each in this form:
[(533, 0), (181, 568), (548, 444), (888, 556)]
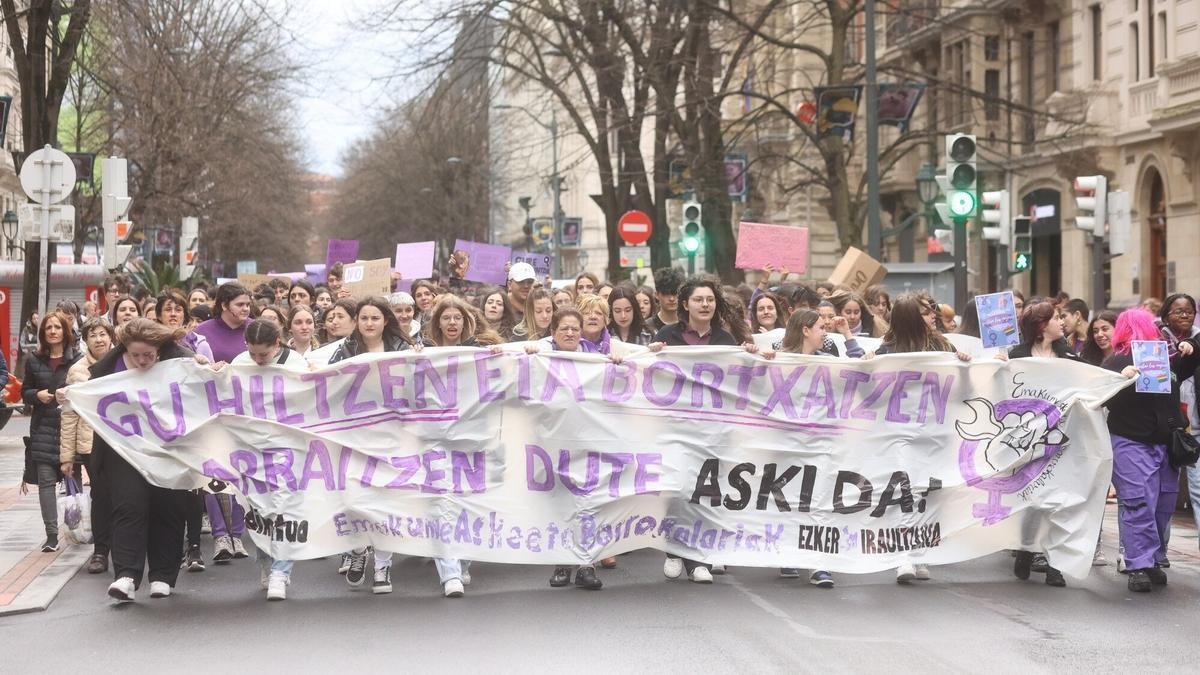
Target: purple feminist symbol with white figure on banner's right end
[(1016, 450)]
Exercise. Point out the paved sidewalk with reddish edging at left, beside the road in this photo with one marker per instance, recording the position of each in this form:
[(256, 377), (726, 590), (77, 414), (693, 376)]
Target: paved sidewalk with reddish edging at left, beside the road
[(29, 580)]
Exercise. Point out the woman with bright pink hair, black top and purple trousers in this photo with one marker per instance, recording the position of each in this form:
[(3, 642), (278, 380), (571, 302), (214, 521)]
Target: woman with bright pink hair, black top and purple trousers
[(1141, 426)]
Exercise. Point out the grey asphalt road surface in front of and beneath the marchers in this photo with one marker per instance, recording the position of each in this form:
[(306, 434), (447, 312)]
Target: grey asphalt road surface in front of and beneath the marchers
[(971, 618)]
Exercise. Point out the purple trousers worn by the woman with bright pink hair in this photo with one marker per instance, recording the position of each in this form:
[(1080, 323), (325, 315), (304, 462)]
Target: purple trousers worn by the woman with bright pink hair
[(1148, 487)]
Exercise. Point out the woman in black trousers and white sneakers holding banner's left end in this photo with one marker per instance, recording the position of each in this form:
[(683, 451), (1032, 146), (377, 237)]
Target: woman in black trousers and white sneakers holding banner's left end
[(147, 521)]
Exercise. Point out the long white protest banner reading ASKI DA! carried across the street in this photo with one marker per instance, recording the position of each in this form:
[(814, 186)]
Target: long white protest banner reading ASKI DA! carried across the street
[(705, 452)]
